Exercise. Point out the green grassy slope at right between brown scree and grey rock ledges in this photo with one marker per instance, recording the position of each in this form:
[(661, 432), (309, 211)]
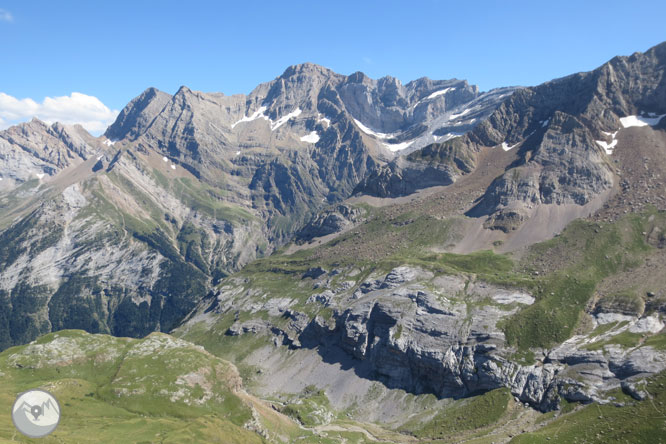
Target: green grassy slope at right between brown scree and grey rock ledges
[(591, 252)]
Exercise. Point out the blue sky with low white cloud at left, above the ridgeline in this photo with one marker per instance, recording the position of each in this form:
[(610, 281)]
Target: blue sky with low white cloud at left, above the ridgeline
[(111, 51)]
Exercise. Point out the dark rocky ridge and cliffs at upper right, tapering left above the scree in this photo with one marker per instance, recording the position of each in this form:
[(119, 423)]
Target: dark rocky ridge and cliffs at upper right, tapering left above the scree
[(558, 131)]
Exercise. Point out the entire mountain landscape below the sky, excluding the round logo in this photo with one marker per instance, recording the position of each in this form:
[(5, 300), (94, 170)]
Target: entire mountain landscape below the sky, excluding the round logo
[(339, 259)]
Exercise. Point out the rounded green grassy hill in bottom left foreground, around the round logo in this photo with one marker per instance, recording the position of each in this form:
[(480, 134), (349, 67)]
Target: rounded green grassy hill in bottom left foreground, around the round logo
[(119, 390)]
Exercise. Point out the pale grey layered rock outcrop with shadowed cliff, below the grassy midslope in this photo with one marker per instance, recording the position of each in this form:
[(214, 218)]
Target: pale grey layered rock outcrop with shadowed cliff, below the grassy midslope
[(422, 333)]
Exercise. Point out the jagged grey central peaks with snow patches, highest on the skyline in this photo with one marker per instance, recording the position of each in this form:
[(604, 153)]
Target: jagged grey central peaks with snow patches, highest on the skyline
[(302, 140)]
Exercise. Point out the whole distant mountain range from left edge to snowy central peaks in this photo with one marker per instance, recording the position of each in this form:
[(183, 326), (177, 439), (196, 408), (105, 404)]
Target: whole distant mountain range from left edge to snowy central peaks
[(182, 190)]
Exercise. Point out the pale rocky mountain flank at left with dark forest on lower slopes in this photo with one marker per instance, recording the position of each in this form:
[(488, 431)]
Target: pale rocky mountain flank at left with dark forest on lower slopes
[(112, 250)]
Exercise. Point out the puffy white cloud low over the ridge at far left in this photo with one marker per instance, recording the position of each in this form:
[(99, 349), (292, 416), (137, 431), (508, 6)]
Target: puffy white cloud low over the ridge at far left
[(87, 111)]
